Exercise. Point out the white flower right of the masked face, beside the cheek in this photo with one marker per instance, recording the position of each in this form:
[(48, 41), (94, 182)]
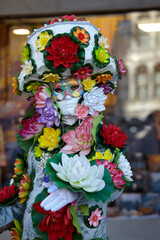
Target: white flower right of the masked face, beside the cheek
[(95, 100)]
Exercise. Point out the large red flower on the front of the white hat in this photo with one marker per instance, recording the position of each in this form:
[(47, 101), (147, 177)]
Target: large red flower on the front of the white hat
[(62, 52)]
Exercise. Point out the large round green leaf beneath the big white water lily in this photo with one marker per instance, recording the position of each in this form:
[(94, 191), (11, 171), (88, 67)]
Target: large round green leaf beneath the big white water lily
[(102, 195)]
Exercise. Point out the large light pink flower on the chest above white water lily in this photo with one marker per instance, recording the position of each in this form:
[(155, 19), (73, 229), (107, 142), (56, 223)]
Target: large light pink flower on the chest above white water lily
[(80, 139)]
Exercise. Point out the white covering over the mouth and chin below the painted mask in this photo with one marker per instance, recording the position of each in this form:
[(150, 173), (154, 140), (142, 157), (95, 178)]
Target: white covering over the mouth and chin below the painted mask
[(68, 105)]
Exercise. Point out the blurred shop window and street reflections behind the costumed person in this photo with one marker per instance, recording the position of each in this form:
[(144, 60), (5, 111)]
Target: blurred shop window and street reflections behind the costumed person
[(133, 32)]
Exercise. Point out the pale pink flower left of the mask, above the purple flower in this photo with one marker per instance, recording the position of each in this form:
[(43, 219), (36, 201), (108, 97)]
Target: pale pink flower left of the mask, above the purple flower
[(41, 95)]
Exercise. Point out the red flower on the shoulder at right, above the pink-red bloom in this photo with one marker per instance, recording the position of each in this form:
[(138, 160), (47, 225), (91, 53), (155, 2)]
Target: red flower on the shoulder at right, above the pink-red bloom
[(112, 135)]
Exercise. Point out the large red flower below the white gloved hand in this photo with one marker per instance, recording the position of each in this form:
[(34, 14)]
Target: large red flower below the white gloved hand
[(58, 224)]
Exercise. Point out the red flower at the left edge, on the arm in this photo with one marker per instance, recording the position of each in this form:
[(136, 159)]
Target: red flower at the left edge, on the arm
[(7, 193)]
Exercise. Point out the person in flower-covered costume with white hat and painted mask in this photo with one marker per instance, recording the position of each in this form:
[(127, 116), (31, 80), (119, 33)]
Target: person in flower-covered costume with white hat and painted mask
[(74, 164)]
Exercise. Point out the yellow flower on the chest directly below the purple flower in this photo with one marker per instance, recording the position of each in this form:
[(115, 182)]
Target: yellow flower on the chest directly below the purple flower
[(49, 139)]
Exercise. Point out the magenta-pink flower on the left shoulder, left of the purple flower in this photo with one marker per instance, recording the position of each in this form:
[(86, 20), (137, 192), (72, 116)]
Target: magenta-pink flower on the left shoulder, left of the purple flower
[(31, 127)]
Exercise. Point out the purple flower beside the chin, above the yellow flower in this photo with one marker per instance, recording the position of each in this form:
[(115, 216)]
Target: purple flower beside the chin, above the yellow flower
[(49, 114)]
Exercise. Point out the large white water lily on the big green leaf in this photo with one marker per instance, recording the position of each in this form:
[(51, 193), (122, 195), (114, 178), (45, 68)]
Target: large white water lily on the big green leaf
[(79, 173)]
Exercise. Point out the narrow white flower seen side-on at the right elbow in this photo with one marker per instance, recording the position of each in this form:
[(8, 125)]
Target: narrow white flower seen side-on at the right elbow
[(125, 166)]
